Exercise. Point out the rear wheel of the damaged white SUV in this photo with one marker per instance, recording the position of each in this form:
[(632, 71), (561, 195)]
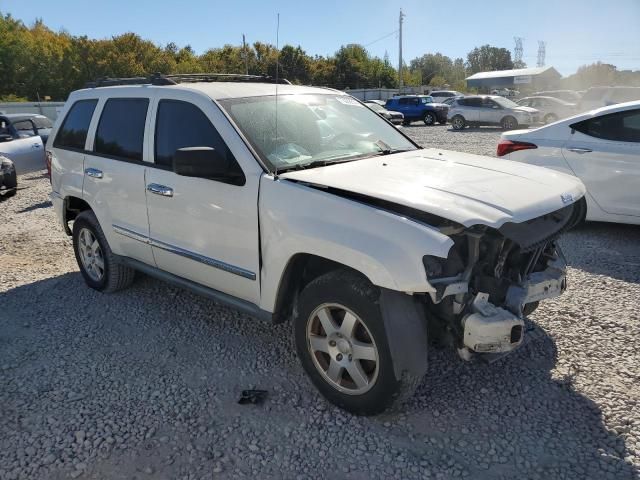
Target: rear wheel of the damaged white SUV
[(98, 264)]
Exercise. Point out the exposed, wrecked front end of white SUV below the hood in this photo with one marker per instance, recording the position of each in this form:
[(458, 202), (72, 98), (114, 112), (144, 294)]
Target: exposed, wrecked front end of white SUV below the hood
[(493, 278)]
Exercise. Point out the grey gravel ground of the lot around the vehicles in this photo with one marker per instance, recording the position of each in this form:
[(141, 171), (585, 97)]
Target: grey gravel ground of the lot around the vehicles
[(144, 383)]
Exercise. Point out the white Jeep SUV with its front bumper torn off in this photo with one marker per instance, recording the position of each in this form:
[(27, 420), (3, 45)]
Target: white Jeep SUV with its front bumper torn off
[(291, 202)]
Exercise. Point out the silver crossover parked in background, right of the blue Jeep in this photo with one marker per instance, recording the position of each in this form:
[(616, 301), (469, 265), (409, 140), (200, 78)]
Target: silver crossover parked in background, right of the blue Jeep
[(479, 110)]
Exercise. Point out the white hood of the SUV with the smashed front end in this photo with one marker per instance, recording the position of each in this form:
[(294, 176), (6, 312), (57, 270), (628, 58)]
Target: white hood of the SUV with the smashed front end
[(468, 189)]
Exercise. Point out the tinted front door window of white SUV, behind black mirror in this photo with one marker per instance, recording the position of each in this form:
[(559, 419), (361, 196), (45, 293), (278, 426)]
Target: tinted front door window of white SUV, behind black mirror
[(182, 124)]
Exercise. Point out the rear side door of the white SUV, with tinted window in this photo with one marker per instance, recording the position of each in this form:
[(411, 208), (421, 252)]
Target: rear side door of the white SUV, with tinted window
[(114, 172)]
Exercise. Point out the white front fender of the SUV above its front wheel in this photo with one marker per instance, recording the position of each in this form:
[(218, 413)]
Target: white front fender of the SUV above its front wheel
[(385, 247)]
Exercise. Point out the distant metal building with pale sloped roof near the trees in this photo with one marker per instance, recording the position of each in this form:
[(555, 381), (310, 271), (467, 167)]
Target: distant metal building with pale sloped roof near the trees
[(537, 77)]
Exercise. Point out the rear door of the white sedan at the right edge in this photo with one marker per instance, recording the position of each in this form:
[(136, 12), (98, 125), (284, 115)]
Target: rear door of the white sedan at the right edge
[(604, 152)]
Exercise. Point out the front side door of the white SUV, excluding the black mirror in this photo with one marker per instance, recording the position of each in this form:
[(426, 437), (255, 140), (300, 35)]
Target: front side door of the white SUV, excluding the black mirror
[(203, 229)]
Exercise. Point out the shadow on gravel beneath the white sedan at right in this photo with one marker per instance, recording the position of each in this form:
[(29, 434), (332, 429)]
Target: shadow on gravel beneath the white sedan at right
[(584, 250)]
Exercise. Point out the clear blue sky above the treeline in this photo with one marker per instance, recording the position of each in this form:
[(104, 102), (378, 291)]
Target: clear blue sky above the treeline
[(576, 31)]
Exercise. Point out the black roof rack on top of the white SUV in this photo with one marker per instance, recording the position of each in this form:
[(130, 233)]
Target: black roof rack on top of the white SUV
[(174, 79)]
